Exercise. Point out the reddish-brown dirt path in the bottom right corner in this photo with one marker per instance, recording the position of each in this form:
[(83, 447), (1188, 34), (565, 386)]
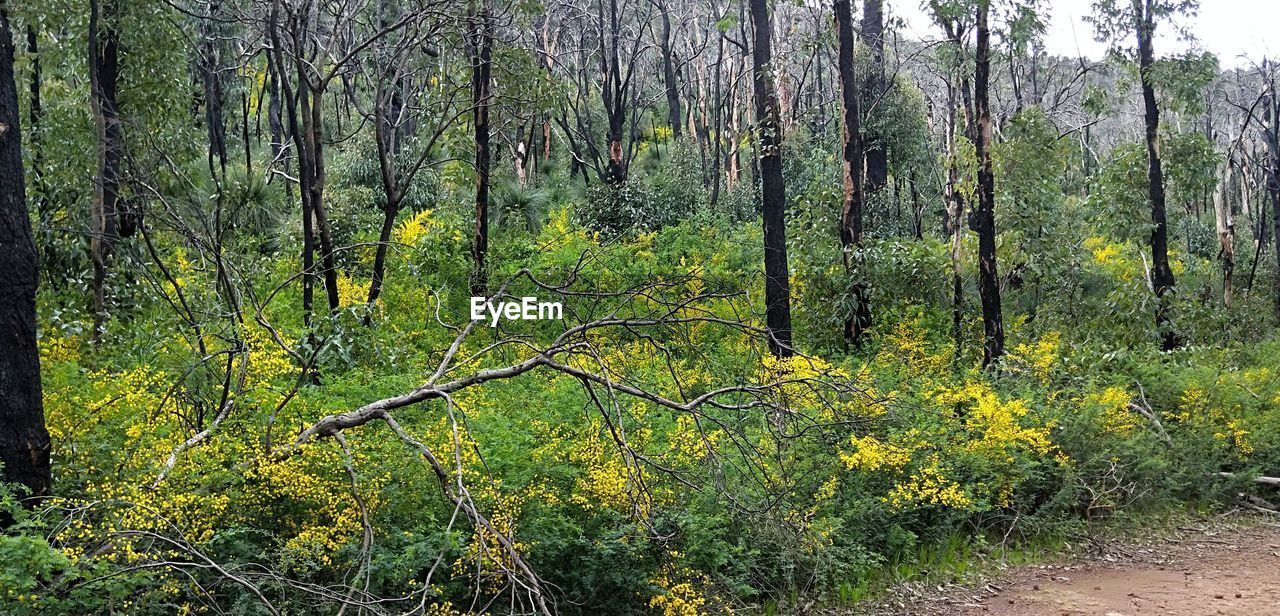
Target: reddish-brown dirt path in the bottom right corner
[(1228, 571)]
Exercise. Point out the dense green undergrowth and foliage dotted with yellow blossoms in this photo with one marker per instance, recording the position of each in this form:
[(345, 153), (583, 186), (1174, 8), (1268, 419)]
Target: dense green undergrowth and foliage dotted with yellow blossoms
[(915, 464)]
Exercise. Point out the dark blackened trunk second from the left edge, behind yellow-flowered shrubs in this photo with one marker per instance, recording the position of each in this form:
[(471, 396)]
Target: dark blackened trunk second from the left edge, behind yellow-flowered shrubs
[(104, 71)]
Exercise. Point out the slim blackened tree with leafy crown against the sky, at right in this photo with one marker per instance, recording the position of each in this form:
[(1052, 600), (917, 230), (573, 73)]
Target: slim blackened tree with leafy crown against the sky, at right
[(1116, 22)]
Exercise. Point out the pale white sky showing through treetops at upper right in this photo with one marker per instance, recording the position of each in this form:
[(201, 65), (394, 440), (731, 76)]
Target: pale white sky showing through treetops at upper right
[(1237, 31)]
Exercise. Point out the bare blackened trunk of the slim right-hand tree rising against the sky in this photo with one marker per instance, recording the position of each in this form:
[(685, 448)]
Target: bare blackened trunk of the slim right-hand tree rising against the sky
[(1162, 275)]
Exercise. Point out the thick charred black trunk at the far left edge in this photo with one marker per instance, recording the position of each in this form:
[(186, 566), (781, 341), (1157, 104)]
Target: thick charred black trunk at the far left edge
[(24, 440)]
